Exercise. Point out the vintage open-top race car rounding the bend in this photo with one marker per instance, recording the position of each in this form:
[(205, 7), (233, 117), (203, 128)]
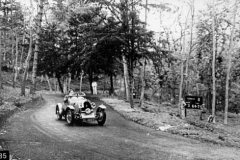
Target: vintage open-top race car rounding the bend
[(77, 107)]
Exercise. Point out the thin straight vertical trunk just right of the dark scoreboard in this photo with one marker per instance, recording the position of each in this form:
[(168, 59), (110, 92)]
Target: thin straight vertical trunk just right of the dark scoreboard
[(213, 65)]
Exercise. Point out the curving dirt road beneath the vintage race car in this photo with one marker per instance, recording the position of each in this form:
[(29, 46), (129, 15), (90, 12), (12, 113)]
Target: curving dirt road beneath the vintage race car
[(36, 134)]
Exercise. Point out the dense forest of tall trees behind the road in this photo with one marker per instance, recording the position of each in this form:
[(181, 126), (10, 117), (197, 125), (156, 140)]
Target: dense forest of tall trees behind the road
[(196, 54)]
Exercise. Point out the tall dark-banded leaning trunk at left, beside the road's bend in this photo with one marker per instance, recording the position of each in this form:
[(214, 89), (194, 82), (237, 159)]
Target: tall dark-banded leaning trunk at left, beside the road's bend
[(36, 51)]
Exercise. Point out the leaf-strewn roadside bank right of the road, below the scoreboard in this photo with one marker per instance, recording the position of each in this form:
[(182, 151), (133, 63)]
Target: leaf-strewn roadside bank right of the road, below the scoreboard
[(164, 118)]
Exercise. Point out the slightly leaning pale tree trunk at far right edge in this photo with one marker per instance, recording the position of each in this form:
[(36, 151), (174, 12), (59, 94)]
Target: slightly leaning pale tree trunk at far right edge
[(231, 50)]
